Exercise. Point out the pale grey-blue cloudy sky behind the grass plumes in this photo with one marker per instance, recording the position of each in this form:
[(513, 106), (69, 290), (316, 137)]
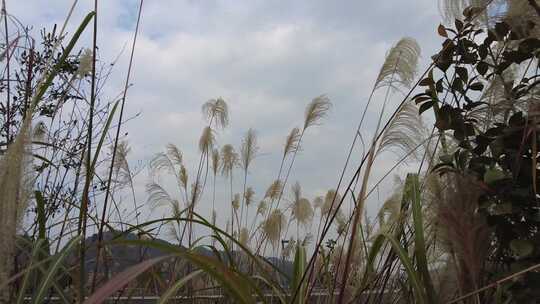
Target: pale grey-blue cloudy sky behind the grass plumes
[(267, 59)]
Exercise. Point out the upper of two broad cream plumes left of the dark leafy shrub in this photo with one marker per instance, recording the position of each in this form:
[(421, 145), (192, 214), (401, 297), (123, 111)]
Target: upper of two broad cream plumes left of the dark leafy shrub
[(400, 64)]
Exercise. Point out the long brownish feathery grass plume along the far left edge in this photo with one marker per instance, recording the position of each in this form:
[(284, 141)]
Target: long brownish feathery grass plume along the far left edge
[(15, 190)]
